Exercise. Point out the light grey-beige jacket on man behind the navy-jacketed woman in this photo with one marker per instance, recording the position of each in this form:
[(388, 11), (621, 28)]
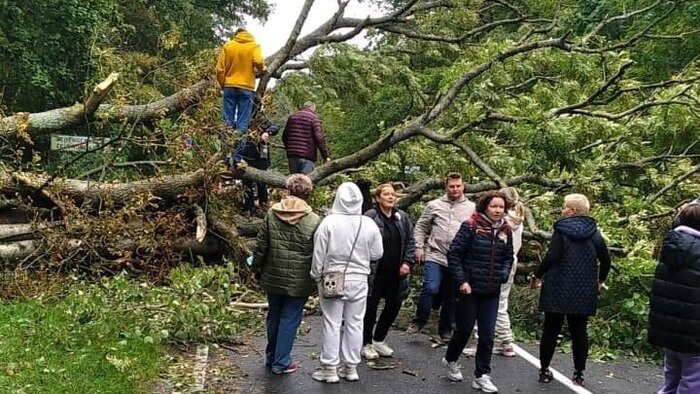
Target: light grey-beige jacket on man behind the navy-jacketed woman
[(439, 224)]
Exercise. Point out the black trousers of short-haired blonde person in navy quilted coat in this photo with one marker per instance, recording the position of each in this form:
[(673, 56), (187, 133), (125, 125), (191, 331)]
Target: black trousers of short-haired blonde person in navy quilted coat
[(578, 330)]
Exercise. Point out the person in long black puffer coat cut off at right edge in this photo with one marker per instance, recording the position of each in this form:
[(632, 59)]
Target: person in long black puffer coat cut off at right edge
[(674, 312)]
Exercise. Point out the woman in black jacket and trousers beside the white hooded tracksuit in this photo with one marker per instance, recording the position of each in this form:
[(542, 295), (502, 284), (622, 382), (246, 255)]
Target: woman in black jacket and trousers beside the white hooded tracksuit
[(389, 277)]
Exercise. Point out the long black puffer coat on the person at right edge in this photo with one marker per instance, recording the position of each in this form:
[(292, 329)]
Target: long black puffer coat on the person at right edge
[(674, 312)]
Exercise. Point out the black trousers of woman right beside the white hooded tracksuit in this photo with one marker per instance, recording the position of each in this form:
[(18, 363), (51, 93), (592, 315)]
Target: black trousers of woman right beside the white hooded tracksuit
[(386, 288)]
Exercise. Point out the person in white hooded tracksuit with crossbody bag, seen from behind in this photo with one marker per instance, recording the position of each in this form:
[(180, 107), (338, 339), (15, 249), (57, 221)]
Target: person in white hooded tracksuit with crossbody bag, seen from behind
[(333, 244)]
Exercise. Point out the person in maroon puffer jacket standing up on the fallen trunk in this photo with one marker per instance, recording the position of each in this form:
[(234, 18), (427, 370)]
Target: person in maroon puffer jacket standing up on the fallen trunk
[(302, 136)]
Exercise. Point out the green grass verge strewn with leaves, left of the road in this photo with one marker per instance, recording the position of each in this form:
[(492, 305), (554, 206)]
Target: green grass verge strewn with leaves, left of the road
[(114, 335)]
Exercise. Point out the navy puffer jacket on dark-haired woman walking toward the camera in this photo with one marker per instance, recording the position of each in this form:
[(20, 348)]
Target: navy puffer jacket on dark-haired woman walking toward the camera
[(481, 255)]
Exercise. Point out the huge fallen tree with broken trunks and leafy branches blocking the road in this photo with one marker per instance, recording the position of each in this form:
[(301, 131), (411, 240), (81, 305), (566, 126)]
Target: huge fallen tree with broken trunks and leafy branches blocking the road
[(182, 213)]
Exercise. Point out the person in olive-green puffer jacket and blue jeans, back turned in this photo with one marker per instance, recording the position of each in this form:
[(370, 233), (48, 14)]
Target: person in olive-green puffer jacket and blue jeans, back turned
[(282, 257)]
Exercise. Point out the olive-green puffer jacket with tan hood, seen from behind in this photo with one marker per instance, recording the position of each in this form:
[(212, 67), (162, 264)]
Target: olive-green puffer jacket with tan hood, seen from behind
[(284, 249)]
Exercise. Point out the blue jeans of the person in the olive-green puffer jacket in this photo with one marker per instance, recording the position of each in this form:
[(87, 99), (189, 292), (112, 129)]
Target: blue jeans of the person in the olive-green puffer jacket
[(283, 318)]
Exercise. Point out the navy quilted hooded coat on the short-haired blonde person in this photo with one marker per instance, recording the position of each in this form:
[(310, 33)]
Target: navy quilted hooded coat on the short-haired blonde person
[(570, 268)]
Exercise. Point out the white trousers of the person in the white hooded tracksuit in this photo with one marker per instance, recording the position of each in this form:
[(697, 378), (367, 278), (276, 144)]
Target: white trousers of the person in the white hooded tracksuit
[(350, 308)]
